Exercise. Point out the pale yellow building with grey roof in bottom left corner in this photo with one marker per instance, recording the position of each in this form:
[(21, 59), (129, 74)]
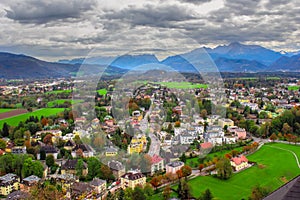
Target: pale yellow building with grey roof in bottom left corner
[(9, 183)]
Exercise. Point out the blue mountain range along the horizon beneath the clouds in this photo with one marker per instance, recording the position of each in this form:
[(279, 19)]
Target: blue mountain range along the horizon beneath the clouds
[(234, 57)]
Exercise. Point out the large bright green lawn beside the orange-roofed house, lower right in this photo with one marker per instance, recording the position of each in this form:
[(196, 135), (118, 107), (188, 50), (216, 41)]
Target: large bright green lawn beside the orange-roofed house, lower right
[(274, 167)]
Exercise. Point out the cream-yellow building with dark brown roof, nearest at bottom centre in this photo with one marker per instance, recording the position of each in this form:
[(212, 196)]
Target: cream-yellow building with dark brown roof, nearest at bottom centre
[(133, 179)]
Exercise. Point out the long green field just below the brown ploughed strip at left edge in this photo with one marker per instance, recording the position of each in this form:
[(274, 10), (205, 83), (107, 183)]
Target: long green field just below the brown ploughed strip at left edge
[(14, 121)]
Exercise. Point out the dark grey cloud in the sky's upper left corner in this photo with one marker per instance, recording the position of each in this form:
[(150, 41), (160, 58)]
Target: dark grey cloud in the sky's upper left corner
[(38, 12)]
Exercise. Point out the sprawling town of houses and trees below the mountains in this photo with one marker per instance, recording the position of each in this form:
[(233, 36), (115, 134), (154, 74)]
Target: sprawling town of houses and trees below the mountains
[(171, 134)]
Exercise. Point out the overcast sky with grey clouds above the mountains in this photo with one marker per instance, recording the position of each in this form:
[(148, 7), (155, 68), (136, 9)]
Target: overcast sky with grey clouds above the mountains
[(55, 29)]
